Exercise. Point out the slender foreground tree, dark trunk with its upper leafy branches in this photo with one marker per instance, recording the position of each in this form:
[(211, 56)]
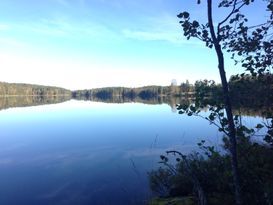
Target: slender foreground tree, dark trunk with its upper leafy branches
[(250, 43)]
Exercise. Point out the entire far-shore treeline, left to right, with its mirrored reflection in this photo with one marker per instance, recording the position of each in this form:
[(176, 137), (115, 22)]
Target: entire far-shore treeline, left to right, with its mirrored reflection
[(246, 91)]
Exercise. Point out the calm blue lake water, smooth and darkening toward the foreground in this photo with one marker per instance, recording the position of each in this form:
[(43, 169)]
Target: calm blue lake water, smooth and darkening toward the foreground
[(82, 152)]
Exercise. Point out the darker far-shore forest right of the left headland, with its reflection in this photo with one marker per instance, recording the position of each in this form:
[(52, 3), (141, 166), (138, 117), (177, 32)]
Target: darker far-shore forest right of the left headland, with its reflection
[(244, 89)]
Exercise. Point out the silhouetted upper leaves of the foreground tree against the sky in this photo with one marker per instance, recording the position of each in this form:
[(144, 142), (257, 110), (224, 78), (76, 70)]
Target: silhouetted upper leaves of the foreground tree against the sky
[(250, 45)]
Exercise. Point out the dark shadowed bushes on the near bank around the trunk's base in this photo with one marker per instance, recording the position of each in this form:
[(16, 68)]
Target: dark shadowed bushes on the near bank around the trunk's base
[(212, 170)]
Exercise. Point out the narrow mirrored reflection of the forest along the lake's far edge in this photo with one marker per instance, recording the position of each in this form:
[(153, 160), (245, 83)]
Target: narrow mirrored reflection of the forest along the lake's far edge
[(246, 108)]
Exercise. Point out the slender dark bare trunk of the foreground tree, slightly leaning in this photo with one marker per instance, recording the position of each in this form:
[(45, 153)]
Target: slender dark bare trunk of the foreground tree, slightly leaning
[(228, 107)]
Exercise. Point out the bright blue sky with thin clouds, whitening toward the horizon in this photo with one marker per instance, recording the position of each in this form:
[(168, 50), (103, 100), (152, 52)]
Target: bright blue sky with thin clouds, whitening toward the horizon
[(81, 44)]
